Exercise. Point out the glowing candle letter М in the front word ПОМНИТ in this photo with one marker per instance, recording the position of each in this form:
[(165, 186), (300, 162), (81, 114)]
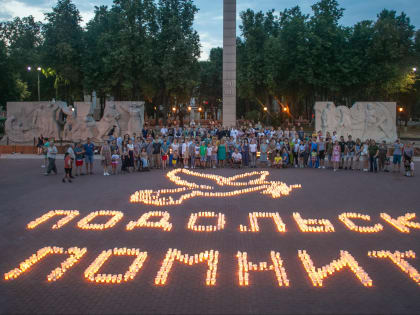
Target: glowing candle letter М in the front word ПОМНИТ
[(212, 258)]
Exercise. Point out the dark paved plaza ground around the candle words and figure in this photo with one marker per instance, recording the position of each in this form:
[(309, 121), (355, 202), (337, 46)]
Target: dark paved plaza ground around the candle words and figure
[(26, 195)]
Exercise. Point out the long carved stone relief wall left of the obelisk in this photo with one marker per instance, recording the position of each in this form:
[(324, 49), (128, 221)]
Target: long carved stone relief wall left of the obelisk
[(28, 120)]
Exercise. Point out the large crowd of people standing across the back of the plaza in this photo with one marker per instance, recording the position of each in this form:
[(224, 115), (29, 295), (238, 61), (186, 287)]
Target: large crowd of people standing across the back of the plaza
[(218, 147)]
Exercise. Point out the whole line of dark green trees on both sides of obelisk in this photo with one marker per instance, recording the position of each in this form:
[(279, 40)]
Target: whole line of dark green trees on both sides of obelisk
[(149, 50)]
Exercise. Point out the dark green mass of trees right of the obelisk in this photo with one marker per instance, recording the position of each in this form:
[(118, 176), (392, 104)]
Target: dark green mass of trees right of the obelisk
[(299, 59)]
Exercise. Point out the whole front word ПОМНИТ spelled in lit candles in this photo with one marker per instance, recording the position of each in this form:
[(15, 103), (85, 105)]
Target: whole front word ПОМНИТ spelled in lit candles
[(316, 275)]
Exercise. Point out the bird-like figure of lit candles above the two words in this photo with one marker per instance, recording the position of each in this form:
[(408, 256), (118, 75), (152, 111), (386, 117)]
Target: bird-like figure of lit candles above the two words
[(190, 189)]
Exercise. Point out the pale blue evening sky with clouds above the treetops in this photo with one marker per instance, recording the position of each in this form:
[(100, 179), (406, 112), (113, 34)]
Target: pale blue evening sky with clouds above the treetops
[(209, 19)]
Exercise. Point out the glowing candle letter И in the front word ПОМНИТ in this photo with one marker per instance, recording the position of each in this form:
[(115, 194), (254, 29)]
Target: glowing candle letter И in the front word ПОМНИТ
[(346, 260)]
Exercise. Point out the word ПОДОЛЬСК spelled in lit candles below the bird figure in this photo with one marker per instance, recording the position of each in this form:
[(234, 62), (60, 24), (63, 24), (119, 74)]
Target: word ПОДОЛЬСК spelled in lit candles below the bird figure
[(355, 222)]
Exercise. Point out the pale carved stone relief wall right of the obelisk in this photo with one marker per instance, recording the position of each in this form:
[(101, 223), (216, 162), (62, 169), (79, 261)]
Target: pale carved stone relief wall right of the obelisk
[(364, 120)]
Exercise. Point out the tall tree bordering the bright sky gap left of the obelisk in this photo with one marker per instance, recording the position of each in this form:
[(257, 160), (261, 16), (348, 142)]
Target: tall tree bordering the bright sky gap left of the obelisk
[(176, 53)]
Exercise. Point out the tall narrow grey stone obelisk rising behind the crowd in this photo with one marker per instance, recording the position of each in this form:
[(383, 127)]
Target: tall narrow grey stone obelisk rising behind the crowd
[(229, 63)]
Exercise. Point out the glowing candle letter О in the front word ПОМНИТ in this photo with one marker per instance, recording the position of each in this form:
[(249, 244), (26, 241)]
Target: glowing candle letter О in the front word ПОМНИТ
[(91, 273)]
